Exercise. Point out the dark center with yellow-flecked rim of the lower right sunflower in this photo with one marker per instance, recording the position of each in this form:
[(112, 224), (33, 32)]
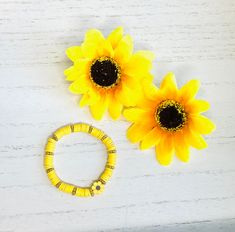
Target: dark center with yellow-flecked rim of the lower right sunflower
[(170, 115)]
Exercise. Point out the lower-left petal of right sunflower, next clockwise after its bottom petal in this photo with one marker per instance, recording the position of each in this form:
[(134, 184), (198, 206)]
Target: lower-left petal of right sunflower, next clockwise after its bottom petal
[(151, 139)]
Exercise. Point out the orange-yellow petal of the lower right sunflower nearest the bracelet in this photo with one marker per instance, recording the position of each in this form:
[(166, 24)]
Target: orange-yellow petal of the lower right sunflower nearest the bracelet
[(137, 131)]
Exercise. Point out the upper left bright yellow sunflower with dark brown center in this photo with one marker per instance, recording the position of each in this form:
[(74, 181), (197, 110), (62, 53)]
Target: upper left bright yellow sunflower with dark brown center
[(106, 72)]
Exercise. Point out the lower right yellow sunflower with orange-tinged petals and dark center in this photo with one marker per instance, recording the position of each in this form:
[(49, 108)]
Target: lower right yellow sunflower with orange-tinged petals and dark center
[(169, 118)]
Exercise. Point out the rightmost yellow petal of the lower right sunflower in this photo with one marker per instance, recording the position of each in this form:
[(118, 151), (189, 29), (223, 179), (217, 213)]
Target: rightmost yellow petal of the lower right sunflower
[(202, 124)]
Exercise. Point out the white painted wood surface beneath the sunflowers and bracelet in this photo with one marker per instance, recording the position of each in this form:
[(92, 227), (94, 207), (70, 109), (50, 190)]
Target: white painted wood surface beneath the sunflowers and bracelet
[(191, 38)]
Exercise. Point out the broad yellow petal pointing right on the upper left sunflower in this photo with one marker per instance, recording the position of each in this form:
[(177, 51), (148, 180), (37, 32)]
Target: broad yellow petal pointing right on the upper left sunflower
[(138, 66)]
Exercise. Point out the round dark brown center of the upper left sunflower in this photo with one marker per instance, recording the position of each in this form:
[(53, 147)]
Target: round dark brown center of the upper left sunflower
[(105, 72)]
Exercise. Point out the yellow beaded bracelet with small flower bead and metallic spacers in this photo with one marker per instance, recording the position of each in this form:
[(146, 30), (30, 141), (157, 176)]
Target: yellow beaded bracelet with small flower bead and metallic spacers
[(98, 185)]
